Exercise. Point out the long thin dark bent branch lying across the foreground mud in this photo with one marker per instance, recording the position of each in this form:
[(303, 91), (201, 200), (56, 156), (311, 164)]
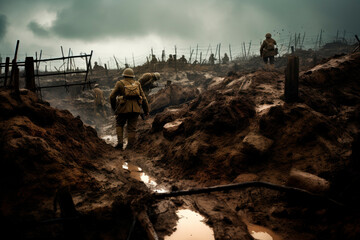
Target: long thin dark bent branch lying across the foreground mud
[(243, 185)]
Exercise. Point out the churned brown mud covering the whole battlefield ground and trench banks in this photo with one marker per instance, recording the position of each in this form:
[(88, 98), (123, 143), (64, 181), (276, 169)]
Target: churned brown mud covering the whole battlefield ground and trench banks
[(229, 124)]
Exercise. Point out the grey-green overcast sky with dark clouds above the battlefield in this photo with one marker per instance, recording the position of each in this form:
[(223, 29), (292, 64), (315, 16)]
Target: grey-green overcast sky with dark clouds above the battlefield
[(123, 28)]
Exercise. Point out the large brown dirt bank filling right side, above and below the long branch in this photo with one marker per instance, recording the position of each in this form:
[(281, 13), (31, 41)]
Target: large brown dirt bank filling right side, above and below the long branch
[(240, 128)]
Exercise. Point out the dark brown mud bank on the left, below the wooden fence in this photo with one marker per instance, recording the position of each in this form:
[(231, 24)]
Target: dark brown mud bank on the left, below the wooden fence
[(43, 148)]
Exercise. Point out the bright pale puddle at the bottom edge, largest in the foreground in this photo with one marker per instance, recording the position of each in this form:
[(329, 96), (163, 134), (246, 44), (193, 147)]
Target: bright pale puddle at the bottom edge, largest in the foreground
[(191, 226)]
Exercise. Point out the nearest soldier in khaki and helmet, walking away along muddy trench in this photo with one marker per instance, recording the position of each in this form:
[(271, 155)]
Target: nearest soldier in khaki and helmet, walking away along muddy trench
[(126, 100)]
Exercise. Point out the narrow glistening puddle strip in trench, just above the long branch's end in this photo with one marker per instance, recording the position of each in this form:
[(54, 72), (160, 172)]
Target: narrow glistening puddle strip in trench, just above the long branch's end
[(138, 174)]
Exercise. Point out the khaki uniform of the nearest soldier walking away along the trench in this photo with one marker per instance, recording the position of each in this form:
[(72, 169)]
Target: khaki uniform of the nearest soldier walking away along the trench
[(127, 110)]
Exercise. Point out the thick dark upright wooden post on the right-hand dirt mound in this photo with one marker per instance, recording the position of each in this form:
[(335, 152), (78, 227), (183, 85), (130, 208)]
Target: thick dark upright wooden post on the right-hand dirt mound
[(292, 79)]
